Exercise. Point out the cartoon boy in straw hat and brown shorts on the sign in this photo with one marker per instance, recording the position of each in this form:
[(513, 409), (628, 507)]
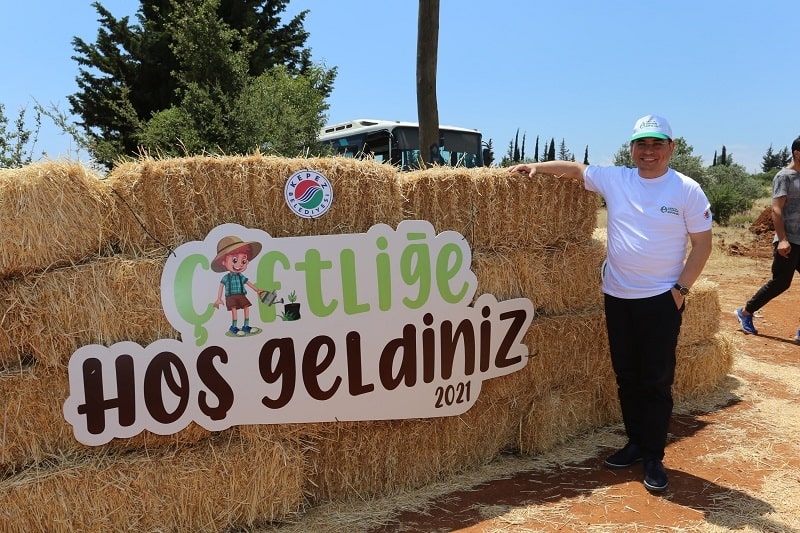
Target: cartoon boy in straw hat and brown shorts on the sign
[(233, 256)]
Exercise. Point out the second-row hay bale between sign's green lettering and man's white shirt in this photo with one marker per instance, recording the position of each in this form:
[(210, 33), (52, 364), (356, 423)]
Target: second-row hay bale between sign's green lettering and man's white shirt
[(556, 279)]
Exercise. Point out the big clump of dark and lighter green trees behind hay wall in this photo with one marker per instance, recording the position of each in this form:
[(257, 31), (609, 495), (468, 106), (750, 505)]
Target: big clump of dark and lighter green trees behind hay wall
[(180, 79)]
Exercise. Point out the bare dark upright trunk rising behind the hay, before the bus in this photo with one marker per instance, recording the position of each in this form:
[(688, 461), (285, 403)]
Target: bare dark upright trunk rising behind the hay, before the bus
[(427, 58)]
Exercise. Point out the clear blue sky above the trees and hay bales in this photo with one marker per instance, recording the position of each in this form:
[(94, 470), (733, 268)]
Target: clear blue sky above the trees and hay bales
[(583, 71)]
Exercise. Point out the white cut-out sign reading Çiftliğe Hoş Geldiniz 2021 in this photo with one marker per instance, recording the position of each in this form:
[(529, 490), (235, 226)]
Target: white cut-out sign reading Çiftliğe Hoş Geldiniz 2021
[(370, 326)]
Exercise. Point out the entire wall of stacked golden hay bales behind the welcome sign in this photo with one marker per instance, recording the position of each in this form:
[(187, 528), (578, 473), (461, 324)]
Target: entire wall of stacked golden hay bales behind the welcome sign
[(81, 262)]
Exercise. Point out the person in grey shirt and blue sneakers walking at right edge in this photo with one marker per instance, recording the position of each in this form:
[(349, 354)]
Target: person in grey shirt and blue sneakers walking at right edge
[(785, 244)]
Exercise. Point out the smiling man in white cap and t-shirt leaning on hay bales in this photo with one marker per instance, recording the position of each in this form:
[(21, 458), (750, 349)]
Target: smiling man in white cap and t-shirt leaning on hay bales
[(653, 212)]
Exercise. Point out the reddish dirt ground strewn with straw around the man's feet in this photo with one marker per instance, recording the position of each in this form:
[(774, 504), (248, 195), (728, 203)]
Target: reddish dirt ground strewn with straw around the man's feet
[(733, 458)]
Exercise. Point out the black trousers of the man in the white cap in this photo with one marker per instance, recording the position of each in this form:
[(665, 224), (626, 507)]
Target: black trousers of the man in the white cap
[(643, 336)]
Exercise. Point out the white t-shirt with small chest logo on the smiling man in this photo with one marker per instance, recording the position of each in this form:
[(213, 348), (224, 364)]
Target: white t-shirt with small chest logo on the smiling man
[(649, 221)]
